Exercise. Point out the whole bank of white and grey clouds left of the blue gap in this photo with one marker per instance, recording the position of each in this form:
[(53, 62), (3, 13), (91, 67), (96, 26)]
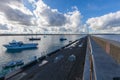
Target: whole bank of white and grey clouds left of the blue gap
[(15, 17)]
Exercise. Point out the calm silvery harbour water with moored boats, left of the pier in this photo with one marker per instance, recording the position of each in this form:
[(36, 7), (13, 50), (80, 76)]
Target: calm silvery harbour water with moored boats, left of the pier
[(47, 44)]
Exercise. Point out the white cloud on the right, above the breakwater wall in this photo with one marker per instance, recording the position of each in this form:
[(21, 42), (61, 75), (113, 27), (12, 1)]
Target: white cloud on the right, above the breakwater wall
[(109, 22)]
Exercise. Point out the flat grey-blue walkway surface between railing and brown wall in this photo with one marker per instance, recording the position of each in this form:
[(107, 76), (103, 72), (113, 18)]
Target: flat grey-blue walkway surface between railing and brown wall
[(105, 66)]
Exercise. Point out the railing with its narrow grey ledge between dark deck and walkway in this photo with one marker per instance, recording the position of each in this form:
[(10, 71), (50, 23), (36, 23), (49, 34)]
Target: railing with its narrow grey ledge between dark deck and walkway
[(89, 72)]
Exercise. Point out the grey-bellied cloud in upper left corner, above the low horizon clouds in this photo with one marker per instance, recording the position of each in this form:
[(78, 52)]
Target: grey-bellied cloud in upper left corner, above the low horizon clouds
[(15, 12)]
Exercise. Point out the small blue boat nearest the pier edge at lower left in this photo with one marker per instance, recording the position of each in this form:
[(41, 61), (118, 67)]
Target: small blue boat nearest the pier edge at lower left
[(13, 64)]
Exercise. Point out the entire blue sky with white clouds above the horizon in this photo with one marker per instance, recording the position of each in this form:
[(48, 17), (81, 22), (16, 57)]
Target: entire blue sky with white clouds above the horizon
[(59, 16)]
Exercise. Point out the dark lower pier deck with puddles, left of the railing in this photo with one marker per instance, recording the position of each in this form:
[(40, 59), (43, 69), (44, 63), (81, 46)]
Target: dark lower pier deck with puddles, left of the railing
[(58, 66)]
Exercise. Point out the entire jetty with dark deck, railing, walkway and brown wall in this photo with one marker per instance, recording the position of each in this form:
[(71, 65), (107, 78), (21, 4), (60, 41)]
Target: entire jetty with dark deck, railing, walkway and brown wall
[(87, 58)]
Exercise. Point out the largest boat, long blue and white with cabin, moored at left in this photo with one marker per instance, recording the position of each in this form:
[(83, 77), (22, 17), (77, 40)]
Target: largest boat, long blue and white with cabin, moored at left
[(20, 45)]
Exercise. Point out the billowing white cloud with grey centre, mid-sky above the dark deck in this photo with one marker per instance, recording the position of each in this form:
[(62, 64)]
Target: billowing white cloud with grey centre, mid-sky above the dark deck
[(47, 17)]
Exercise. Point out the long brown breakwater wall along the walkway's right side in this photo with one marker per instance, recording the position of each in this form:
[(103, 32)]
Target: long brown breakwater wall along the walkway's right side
[(110, 46)]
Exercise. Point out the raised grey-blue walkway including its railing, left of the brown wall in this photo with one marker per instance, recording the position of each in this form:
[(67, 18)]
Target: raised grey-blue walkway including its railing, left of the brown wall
[(99, 65)]
